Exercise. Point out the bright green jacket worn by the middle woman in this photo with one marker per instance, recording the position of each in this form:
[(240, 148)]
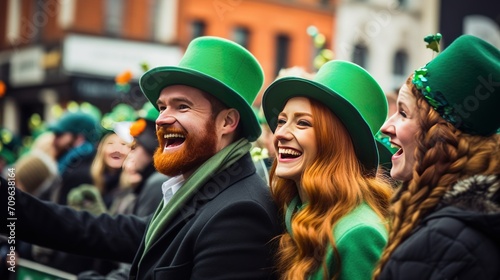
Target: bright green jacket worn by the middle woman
[(360, 237)]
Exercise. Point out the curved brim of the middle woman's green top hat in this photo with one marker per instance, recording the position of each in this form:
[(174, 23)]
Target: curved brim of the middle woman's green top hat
[(278, 93)]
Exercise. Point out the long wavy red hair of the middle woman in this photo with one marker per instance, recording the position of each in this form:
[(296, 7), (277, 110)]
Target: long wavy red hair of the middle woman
[(335, 184)]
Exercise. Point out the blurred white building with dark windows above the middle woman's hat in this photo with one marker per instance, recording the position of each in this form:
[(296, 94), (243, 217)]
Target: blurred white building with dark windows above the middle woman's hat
[(386, 36)]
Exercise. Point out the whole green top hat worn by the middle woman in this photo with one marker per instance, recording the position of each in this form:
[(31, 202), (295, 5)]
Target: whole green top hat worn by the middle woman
[(349, 91)]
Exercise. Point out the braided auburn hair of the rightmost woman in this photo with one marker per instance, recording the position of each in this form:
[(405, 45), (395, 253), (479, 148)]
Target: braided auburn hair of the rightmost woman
[(444, 155)]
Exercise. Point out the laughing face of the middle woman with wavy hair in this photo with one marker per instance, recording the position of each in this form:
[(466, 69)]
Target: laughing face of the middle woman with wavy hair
[(294, 139)]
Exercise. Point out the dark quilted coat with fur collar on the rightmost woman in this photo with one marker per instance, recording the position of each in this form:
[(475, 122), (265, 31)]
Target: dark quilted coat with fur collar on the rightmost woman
[(461, 240)]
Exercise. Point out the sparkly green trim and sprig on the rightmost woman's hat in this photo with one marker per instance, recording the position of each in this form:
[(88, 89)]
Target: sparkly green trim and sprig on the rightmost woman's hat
[(435, 98)]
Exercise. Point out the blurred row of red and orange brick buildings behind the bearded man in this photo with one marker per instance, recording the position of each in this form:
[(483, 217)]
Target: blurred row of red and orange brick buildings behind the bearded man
[(56, 51)]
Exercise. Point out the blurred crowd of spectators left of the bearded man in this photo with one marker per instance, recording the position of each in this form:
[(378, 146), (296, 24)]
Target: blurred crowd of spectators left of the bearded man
[(88, 162)]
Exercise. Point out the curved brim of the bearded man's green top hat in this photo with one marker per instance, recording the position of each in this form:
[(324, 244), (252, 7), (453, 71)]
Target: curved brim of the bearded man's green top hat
[(155, 80)]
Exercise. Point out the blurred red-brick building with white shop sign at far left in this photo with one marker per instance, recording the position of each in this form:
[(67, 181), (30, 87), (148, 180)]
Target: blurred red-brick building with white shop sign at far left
[(57, 51)]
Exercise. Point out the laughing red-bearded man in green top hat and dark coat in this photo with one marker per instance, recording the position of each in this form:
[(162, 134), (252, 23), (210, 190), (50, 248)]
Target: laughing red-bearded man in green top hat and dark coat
[(216, 219)]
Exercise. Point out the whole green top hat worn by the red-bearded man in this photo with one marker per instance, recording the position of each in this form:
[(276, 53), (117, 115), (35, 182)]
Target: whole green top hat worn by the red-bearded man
[(219, 67)]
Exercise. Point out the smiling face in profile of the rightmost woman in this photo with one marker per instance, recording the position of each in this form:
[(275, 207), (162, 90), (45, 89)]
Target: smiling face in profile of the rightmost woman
[(402, 127)]
